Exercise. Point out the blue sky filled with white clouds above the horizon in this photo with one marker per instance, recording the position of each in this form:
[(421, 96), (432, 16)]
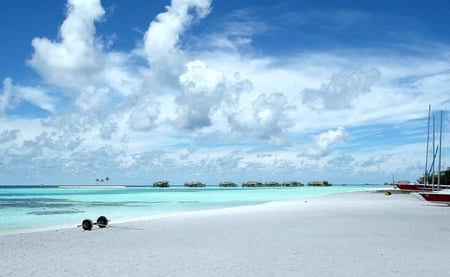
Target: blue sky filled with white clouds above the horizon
[(201, 90)]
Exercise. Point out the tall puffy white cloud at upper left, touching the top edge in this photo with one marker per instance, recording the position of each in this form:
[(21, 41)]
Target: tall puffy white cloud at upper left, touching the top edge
[(77, 54)]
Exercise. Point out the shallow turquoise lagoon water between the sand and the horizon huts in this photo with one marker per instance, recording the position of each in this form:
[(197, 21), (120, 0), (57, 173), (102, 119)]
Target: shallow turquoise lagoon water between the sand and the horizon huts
[(24, 208)]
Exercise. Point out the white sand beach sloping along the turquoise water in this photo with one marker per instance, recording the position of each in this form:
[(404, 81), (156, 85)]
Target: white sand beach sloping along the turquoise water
[(350, 234)]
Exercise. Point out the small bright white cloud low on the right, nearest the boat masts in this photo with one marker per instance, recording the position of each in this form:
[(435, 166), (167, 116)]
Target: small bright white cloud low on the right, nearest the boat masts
[(325, 142)]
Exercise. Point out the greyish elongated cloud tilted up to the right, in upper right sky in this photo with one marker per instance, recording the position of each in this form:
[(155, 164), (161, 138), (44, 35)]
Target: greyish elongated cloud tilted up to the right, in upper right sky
[(341, 91)]
